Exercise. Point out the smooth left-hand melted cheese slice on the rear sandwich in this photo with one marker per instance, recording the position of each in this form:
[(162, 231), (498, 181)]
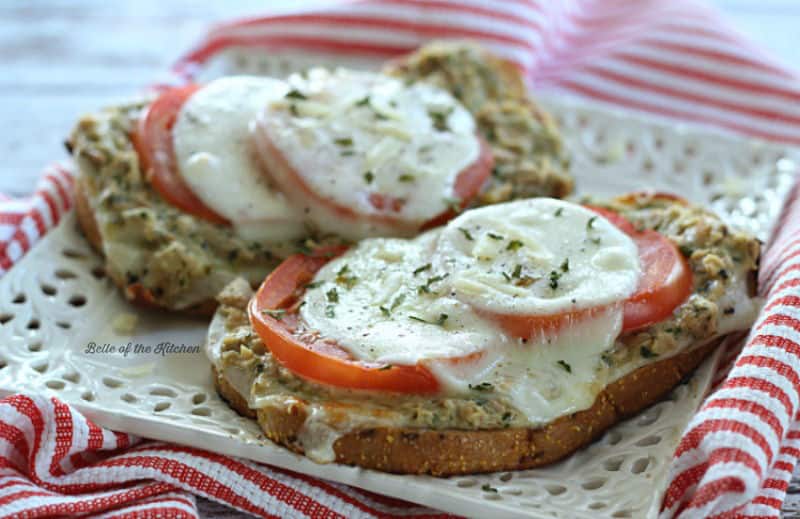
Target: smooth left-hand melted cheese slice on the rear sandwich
[(214, 153)]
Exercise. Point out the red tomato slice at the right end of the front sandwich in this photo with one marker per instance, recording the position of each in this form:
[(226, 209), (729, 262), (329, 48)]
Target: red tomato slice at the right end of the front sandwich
[(665, 283)]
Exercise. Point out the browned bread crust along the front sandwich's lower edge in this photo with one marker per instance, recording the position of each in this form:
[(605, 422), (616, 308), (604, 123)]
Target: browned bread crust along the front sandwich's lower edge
[(456, 452)]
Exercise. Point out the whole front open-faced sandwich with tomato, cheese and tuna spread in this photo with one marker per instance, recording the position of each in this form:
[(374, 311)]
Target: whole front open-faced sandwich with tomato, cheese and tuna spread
[(507, 339)]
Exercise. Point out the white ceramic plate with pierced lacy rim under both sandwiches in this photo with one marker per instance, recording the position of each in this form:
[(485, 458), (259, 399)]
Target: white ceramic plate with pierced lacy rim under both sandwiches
[(56, 302)]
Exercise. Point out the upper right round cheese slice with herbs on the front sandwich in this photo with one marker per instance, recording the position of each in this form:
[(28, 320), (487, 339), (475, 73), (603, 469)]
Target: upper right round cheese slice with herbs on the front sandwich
[(537, 257)]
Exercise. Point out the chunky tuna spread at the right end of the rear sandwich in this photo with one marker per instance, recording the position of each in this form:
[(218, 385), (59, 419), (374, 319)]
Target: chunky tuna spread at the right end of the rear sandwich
[(530, 159)]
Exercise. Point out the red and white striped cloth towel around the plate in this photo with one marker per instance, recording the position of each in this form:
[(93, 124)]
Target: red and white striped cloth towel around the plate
[(674, 59)]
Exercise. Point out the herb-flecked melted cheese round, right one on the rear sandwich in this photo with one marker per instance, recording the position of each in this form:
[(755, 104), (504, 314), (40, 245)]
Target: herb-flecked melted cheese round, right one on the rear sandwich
[(350, 136)]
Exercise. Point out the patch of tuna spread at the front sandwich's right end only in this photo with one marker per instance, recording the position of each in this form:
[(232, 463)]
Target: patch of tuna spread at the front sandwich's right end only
[(724, 265)]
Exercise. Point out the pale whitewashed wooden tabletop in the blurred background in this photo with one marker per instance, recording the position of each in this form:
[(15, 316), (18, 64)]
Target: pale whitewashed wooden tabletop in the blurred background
[(61, 58)]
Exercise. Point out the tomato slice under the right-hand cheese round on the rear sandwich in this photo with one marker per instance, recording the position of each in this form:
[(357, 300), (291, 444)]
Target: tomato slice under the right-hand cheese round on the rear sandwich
[(467, 185)]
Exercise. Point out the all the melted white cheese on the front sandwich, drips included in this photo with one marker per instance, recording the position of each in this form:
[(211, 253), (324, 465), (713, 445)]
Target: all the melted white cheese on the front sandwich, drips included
[(387, 301)]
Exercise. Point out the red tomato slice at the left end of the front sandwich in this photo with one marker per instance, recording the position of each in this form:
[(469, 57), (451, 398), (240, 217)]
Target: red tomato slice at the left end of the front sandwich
[(273, 314)]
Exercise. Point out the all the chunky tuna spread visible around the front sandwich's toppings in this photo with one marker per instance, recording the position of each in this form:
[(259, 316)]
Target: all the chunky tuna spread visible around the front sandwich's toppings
[(723, 263)]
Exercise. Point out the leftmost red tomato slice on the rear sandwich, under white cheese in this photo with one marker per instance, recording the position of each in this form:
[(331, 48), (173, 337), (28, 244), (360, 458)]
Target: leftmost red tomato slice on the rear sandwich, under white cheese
[(153, 142)]
